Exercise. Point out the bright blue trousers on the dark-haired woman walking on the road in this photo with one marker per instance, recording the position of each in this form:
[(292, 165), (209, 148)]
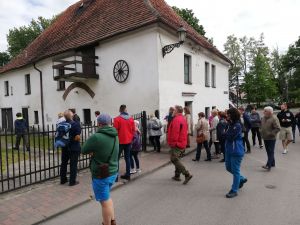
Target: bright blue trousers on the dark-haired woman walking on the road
[(233, 166)]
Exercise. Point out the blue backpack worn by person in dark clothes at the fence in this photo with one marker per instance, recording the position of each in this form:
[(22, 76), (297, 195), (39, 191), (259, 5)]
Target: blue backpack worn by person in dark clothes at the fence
[(62, 137)]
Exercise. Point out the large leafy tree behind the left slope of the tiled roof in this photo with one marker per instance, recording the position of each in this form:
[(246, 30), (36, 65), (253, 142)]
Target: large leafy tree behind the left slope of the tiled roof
[(19, 38)]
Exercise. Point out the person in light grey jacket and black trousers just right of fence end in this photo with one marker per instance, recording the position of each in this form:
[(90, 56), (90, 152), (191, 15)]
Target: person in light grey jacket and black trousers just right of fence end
[(154, 129)]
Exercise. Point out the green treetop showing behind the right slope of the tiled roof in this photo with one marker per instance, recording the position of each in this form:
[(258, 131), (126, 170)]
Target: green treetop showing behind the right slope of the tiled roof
[(191, 19)]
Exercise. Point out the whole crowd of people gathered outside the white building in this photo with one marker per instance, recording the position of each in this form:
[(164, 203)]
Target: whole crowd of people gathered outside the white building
[(227, 131)]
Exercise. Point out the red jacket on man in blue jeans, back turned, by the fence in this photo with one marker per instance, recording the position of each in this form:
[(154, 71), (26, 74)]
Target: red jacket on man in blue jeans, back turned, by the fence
[(125, 128)]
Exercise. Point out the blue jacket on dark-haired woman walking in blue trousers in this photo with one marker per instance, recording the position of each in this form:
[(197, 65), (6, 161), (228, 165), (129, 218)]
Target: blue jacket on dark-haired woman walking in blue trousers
[(234, 140)]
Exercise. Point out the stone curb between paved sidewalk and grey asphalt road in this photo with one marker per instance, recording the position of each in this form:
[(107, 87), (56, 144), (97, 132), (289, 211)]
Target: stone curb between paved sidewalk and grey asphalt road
[(114, 188)]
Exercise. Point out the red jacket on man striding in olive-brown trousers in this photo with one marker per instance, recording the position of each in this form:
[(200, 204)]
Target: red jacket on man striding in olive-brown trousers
[(177, 132)]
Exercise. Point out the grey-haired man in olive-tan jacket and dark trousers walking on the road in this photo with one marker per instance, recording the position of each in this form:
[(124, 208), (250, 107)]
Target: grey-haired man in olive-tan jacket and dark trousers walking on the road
[(269, 129)]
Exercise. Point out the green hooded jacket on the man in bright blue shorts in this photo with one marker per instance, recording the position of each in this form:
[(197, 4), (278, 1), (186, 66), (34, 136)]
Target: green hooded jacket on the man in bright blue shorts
[(101, 145)]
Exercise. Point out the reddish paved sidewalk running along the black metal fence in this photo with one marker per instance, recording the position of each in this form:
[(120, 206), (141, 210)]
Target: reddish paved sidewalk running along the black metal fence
[(43, 201)]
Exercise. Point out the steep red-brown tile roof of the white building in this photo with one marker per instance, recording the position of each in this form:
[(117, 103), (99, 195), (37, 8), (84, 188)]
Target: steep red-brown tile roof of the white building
[(98, 20)]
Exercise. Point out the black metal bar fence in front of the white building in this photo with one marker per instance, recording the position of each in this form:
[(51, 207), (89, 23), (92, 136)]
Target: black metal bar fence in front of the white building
[(21, 168)]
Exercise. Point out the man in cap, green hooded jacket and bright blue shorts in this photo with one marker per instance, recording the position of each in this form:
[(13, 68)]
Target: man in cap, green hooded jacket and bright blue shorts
[(103, 146)]
